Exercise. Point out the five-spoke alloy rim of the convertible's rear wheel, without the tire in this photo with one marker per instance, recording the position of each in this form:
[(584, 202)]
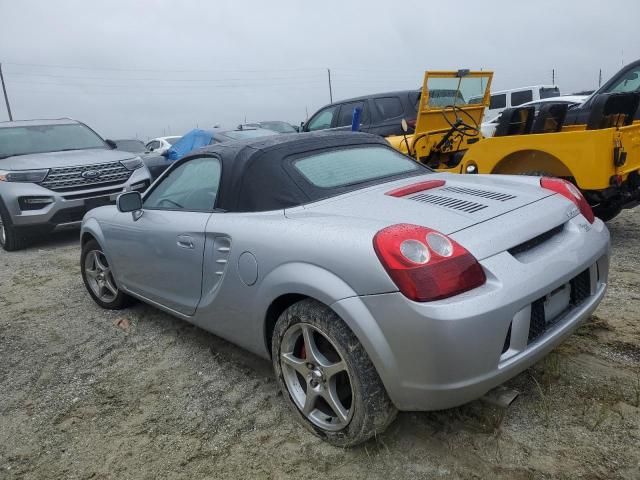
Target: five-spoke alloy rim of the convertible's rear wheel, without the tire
[(317, 377)]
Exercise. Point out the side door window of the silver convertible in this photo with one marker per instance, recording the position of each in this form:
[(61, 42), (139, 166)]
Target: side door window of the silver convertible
[(192, 186)]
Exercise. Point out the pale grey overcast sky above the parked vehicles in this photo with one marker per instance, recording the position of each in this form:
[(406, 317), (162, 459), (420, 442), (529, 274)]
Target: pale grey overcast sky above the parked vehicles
[(163, 67)]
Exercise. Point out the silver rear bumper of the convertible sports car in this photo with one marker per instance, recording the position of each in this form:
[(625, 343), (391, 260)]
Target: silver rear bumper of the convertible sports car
[(446, 353)]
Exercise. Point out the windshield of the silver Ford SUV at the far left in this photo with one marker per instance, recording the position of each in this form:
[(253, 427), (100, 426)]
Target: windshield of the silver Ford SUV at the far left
[(47, 138)]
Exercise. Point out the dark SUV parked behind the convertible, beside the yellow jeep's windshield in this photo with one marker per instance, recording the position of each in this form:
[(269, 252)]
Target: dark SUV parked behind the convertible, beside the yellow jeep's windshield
[(382, 113)]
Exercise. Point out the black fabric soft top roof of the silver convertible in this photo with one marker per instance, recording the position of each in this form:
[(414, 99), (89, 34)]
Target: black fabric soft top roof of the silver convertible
[(255, 176)]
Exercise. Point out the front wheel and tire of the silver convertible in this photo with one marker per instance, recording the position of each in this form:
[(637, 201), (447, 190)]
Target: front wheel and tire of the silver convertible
[(98, 278)]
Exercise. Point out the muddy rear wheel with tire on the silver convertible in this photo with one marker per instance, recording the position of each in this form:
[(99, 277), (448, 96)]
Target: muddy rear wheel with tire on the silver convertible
[(327, 378)]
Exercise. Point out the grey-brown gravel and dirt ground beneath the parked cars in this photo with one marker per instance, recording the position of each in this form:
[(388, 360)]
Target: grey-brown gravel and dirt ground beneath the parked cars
[(86, 393)]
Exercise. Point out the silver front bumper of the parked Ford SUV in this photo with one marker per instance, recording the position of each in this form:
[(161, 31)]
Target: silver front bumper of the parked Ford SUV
[(66, 208)]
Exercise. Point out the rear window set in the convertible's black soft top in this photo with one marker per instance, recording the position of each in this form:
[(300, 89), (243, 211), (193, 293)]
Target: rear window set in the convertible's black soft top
[(349, 166)]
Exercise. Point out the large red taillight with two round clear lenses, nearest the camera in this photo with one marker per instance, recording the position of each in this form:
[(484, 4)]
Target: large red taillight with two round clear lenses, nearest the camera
[(425, 264)]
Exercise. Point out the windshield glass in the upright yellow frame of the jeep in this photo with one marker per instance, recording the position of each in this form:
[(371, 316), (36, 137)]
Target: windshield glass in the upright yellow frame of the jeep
[(445, 91)]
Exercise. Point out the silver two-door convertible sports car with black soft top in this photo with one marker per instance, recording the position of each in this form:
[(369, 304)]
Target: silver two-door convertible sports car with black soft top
[(372, 283)]
